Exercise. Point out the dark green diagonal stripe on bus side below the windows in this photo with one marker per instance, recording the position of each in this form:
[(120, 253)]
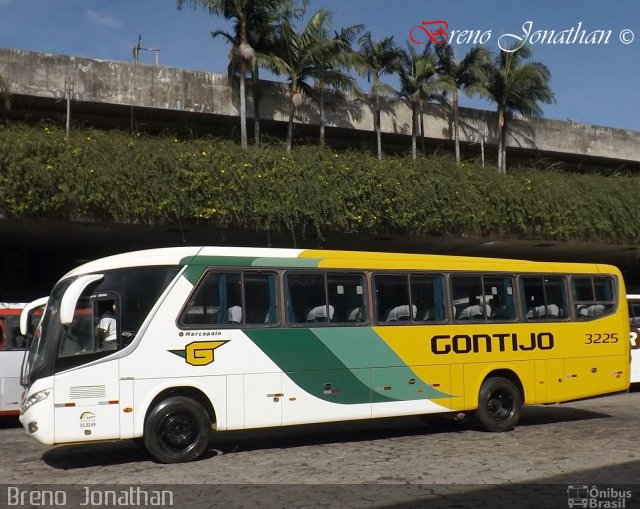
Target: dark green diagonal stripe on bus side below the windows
[(299, 352)]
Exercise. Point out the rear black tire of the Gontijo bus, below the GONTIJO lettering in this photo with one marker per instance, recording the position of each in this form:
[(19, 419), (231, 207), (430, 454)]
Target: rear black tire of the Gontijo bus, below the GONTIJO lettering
[(499, 405)]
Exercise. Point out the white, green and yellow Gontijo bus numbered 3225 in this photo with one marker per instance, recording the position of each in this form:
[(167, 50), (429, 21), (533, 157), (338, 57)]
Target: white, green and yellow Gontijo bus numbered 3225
[(210, 339)]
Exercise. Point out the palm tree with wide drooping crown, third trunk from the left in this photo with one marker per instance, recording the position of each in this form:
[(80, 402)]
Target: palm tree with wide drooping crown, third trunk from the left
[(302, 56)]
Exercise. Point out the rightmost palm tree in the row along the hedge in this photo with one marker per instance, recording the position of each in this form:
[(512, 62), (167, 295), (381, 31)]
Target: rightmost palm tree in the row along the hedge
[(515, 86)]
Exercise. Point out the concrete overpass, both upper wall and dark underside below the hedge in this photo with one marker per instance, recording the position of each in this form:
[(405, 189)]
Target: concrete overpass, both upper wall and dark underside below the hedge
[(34, 253)]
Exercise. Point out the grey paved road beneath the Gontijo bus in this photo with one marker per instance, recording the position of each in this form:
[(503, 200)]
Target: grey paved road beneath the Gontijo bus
[(592, 443)]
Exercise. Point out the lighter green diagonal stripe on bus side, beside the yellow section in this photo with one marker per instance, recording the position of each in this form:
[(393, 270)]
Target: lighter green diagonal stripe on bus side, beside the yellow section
[(361, 347)]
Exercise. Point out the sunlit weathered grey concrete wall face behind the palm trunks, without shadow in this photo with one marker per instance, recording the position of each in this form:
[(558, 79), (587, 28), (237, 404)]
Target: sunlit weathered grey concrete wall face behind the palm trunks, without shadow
[(150, 86)]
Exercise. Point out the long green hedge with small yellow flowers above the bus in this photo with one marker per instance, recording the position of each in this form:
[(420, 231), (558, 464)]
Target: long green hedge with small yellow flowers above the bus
[(135, 178)]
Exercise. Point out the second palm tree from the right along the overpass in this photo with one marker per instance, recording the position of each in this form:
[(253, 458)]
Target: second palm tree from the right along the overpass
[(455, 76)]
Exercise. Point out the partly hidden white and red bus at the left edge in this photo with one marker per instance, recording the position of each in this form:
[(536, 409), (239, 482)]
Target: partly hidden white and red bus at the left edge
[(12, 351)]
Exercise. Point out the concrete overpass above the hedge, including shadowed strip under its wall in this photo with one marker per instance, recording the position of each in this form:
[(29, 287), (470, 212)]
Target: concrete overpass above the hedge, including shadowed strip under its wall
[(142, 96)]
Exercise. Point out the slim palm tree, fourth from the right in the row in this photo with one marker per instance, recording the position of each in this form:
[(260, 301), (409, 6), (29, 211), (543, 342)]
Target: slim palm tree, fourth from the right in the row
[(377, 58)]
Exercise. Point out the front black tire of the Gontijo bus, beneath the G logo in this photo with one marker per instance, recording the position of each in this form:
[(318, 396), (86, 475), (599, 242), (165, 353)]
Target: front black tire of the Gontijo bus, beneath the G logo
[(177, 430)]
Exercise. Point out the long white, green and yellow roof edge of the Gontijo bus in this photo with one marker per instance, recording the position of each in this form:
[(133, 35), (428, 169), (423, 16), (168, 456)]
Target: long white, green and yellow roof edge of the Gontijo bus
[(300, 258)]
